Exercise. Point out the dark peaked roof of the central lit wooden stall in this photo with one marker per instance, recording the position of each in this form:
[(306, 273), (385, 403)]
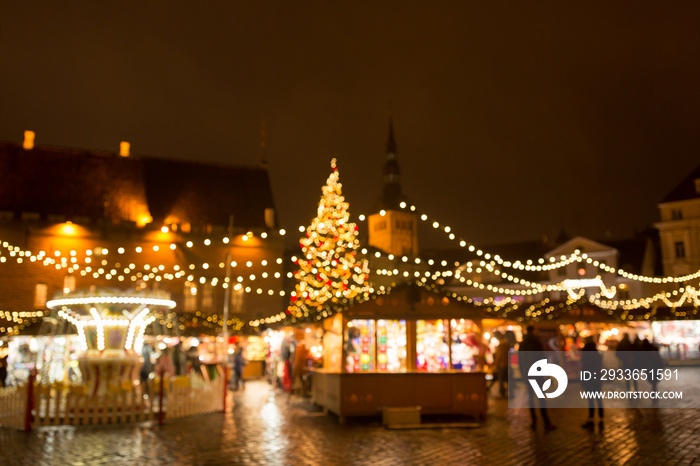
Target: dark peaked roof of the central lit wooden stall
[(410, 301)]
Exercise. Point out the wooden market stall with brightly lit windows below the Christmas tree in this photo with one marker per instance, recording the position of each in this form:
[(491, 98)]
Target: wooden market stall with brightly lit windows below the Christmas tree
[(409, 348)]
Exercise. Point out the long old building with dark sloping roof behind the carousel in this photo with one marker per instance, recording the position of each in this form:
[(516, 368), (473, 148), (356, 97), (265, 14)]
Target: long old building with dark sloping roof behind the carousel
[(74, 219)]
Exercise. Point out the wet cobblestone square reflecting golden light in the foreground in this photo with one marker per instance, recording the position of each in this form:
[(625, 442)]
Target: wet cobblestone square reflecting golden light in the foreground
[(267, 426)]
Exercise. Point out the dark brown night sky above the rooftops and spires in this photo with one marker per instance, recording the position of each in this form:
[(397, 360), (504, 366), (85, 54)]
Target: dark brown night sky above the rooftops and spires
[(511, 121)]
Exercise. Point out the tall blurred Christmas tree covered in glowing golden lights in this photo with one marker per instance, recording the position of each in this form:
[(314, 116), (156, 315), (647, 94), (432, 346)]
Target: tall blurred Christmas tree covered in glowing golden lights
[(328, 269)]
